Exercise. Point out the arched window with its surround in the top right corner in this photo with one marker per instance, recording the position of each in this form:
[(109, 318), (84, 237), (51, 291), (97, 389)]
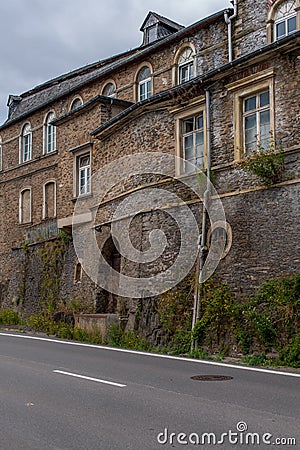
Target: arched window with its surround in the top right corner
[(283, 19)]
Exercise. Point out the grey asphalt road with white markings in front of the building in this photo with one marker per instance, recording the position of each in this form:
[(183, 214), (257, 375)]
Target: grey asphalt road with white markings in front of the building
[(45, 405)]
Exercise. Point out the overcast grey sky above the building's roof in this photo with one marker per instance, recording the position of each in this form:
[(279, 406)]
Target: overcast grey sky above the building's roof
[(42, 39)]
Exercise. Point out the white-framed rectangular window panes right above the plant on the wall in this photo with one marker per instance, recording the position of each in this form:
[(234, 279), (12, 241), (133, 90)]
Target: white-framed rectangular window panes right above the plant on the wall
[(256, 122)]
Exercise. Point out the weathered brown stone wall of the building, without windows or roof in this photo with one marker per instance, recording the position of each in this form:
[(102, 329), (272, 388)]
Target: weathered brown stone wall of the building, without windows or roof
[(264, 221)]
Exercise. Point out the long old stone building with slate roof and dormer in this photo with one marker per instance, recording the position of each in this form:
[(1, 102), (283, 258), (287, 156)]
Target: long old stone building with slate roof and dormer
[(210, 93)]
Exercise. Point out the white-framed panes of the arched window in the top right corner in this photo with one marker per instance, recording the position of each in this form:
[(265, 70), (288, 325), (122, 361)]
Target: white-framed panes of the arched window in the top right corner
[(285, 19)]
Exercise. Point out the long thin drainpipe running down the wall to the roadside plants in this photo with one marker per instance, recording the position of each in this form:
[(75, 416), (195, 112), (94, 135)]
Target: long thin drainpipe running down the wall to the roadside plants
[(202, 244)]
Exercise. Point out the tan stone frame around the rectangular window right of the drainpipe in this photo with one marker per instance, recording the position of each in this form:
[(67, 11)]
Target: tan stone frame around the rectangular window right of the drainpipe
[(242, 89)]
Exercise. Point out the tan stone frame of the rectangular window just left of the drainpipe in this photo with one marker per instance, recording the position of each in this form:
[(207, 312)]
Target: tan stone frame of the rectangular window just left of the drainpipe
[(193, 110)]
